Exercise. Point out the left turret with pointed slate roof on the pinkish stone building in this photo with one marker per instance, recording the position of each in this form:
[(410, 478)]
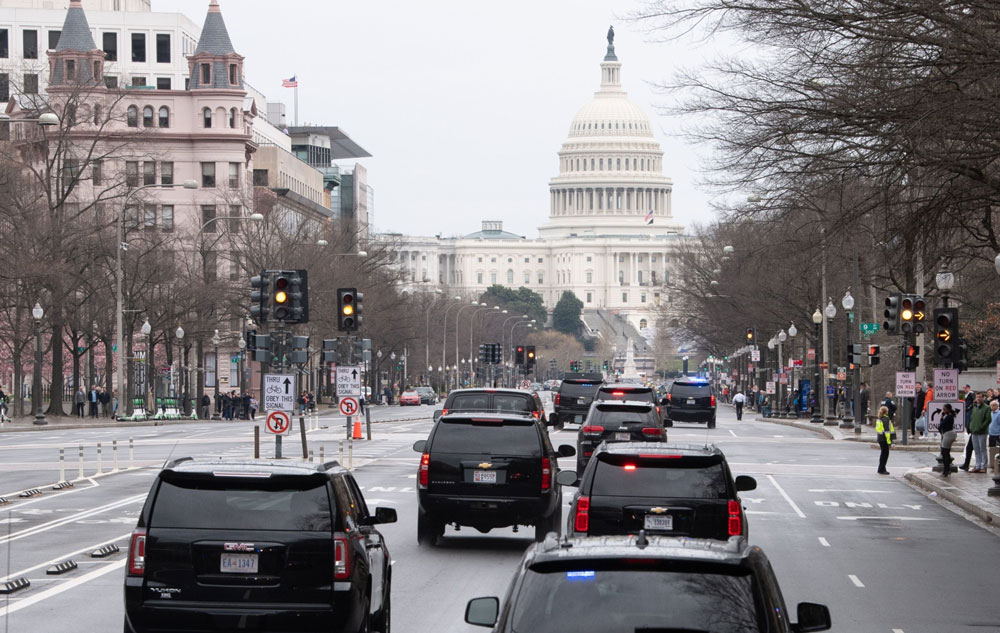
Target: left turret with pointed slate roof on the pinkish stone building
[(76, 60)]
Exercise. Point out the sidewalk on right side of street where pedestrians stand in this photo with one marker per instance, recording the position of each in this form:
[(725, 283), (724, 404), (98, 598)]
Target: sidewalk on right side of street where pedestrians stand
[(966, 490)]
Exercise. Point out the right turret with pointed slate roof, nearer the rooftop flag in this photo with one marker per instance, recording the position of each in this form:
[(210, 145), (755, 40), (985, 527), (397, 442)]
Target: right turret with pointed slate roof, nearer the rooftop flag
[(215, 64)]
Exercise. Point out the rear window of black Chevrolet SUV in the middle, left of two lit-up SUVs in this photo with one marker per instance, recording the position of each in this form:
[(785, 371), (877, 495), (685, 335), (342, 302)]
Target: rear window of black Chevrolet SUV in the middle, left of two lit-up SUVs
[(514, 437)]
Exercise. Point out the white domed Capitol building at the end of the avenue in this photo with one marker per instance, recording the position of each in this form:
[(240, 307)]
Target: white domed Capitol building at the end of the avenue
[(609, 236)]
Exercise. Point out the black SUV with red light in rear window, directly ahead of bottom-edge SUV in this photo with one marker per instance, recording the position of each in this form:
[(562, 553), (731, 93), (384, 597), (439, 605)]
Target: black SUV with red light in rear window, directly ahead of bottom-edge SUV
[(661, 488)]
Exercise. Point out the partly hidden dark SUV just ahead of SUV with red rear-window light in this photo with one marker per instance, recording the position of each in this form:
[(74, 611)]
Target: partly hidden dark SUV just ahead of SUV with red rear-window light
[(616, 421)]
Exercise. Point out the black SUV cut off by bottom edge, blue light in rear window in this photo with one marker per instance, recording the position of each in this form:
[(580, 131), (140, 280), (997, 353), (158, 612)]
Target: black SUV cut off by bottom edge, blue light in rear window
[(640, 583)]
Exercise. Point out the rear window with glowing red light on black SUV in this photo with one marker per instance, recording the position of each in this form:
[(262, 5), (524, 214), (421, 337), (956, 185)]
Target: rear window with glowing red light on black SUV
[(686, 477)]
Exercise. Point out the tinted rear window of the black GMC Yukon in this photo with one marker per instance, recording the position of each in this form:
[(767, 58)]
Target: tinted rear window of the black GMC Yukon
[(208, 502)]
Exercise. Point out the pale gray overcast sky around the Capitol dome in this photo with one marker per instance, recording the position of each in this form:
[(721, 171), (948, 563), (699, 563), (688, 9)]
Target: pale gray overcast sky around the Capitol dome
[(462, 104)]
